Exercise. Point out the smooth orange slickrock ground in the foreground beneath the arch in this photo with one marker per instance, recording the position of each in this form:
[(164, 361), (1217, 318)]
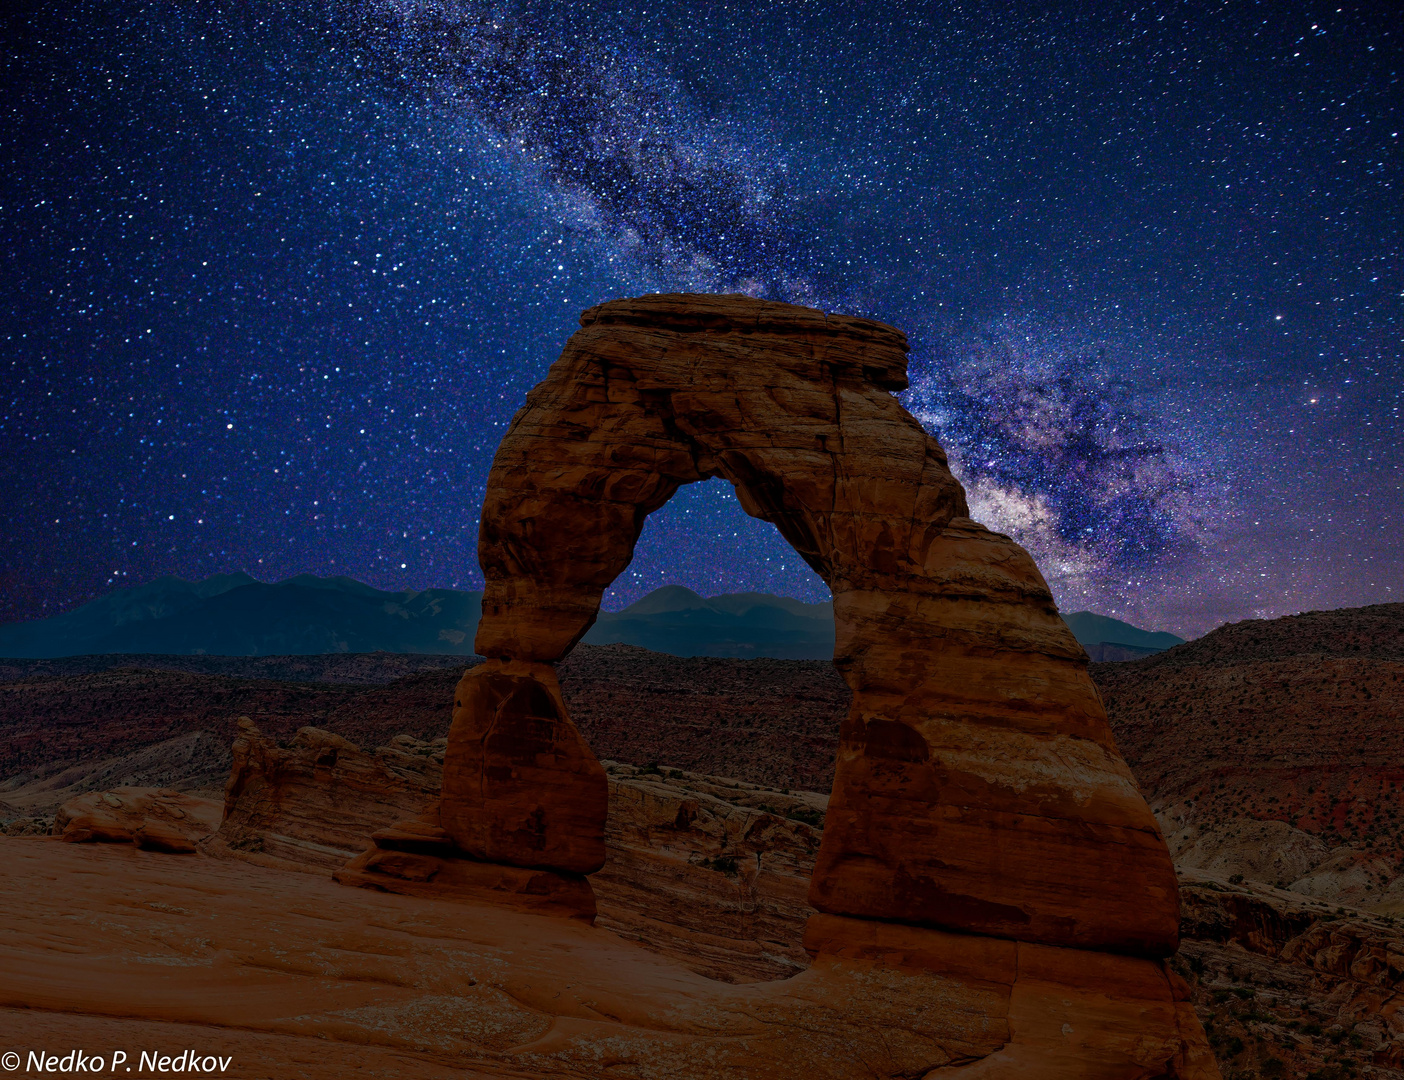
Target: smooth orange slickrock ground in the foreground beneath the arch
[(297, 977)]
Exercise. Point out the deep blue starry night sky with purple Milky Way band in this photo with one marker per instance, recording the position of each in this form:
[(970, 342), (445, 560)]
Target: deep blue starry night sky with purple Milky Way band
[(274, 277)]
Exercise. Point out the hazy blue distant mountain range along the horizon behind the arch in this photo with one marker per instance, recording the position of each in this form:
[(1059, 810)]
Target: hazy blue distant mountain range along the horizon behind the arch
[(238, 616)]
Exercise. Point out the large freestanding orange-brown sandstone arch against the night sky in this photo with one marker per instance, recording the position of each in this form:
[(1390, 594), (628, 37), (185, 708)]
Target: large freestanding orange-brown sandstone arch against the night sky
[(978, 786)]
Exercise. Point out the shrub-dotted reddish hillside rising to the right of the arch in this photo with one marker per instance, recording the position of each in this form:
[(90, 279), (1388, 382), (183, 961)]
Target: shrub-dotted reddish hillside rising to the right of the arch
[(1276, 749)]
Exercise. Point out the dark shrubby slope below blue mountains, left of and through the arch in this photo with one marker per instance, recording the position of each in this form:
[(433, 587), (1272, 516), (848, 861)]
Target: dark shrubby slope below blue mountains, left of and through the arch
[(68, 727)]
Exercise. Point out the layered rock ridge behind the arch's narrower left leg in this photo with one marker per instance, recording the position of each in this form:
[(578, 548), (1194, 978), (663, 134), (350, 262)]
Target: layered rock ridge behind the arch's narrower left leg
[(707, 870)]
